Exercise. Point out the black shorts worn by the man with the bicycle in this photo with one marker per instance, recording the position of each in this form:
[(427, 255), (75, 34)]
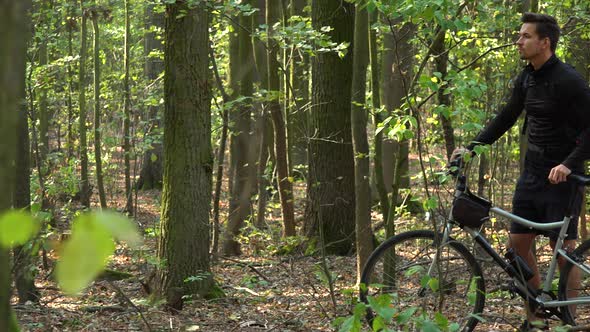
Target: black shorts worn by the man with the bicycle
[(536, 199)]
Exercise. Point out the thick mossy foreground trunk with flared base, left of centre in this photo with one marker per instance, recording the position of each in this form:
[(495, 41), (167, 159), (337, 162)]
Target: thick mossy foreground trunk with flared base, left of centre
[(183, 246)]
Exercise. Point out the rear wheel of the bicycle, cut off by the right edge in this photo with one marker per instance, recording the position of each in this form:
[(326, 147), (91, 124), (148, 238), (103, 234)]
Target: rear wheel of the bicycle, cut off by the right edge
[(574, 283)]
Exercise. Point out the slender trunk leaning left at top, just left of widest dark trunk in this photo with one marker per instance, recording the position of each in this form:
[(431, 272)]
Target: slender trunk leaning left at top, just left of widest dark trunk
[(278, 121)]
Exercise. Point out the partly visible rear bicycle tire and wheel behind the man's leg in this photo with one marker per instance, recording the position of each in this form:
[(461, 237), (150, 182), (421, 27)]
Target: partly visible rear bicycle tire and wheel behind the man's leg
[(581, 316)]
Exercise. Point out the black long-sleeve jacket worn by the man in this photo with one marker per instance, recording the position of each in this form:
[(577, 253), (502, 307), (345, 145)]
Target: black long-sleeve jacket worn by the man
[(557, 103)]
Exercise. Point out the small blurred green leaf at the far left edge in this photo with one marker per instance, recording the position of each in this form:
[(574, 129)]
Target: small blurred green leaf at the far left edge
[(16, 228)]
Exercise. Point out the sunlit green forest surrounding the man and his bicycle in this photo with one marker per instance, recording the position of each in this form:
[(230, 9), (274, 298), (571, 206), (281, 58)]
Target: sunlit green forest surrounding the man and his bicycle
[(230, 165)]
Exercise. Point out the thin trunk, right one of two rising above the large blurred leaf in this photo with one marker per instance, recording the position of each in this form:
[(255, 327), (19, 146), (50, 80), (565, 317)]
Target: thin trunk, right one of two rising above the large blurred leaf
[(97, 113)]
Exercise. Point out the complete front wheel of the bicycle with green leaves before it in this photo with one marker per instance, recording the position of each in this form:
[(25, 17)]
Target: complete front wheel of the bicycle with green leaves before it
[(404, 279)]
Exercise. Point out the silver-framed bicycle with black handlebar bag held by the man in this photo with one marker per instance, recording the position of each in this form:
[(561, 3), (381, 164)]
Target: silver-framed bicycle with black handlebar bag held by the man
[(427, 273)]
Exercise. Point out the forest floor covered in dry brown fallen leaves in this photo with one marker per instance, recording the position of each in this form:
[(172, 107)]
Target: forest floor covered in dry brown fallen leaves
[(263, 292)]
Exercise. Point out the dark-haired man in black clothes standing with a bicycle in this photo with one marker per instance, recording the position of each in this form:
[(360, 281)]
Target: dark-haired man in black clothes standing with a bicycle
[(557, 101)]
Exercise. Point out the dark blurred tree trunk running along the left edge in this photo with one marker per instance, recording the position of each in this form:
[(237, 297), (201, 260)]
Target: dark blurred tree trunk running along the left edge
[(13, 33)]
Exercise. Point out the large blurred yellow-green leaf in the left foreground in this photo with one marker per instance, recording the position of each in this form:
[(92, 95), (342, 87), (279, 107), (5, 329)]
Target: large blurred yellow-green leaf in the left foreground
[(84, 255)]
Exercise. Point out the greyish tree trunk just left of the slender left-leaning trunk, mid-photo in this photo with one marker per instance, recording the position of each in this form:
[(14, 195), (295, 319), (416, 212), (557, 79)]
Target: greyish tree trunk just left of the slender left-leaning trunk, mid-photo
[(239, 207)]
